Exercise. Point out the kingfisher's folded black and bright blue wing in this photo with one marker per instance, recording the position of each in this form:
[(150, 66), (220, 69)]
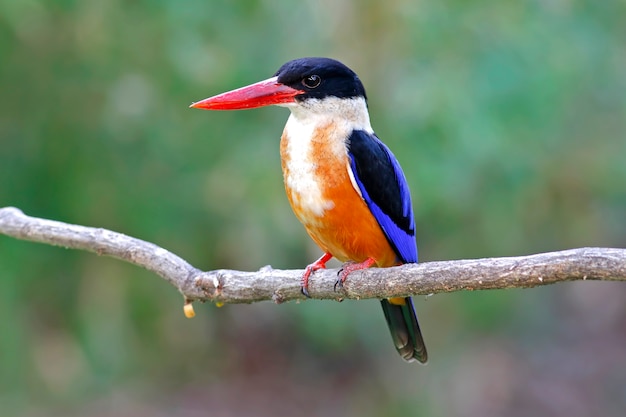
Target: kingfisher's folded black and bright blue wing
[(385, 190)]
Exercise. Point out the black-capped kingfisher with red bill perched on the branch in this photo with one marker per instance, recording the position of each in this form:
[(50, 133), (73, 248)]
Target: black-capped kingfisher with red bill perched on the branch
[(343, 183)]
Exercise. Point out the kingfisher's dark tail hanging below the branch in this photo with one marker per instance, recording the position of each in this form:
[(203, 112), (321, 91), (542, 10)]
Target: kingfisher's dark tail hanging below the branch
[(405, 331)]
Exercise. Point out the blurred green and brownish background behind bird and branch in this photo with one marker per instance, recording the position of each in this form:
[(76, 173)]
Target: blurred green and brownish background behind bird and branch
[(509, 120)]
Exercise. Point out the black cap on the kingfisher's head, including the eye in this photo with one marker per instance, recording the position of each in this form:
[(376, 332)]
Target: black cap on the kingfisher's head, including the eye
[(320, 78)]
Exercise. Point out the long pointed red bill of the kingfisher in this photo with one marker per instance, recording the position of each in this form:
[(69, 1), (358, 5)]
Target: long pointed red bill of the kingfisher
[(263, 93)]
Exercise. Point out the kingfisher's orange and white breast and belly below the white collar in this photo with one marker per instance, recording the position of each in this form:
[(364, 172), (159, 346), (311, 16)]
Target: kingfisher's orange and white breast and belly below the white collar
[(336, 218)]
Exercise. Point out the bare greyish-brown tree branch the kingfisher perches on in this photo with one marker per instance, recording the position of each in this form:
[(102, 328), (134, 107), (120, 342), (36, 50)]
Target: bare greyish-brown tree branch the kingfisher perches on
[(228, 286)]
